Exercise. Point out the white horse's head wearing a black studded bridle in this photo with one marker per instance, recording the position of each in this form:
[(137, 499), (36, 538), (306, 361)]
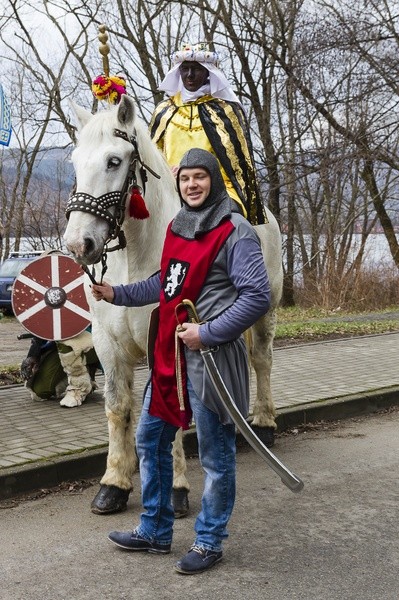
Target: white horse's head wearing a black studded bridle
[(104, 162)]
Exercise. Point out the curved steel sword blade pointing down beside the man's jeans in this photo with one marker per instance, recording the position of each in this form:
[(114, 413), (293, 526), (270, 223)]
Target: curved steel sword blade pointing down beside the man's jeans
[(292, 481)]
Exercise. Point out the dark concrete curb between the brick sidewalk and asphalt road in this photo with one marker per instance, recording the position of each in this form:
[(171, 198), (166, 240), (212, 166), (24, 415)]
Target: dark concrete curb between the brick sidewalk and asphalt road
[(91, 463)]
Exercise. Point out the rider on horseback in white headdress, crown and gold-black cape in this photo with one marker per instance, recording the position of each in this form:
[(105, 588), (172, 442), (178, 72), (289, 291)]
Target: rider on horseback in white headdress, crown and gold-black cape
[(203, 111)]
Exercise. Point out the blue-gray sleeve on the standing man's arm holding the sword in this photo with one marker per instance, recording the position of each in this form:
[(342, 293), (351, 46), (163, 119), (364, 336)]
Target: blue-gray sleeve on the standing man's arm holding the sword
[(246, 270)]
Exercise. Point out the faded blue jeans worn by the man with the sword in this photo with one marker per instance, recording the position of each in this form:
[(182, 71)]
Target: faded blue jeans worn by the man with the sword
[(216, 445)]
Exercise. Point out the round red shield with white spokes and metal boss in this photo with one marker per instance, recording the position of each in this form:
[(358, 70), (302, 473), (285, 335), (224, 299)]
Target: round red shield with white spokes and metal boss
[(49, 300)]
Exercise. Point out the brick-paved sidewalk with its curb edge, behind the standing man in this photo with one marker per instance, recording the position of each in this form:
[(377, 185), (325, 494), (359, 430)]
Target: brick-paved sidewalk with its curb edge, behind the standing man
[(43, 444)]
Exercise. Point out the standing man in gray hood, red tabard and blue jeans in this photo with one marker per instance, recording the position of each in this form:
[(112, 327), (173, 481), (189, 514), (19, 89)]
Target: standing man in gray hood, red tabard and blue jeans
[(213, 257)]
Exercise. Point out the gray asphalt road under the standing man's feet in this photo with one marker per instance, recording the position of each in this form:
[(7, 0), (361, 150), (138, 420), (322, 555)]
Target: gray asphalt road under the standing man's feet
[(336, 540)]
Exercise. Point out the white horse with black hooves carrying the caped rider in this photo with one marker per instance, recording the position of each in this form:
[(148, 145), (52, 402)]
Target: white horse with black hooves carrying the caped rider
[(114, 153)]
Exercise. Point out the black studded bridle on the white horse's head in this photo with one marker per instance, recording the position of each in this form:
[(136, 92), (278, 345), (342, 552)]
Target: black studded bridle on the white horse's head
[(99, 207)]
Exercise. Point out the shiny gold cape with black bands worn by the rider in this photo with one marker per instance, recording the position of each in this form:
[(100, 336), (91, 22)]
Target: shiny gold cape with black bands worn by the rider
[(219, 127)]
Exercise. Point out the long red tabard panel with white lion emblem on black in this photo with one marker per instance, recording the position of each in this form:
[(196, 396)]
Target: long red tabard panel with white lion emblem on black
[(184, 267)]
